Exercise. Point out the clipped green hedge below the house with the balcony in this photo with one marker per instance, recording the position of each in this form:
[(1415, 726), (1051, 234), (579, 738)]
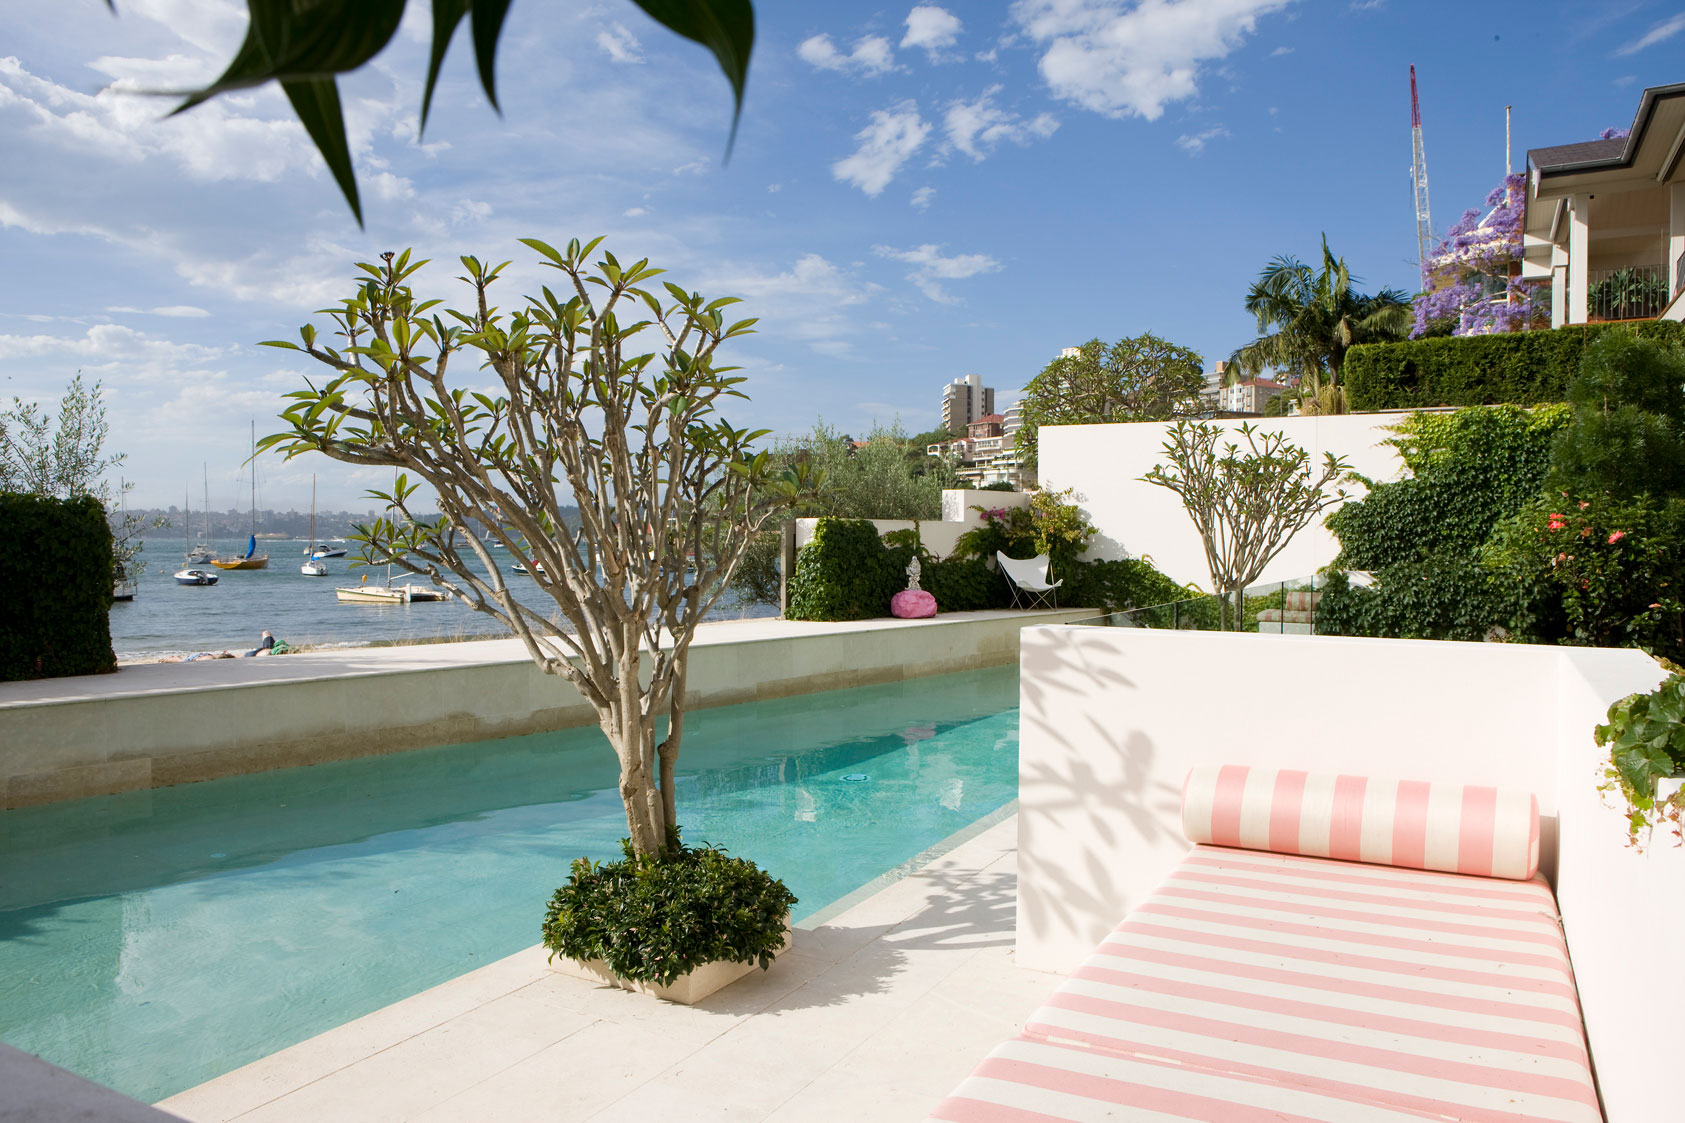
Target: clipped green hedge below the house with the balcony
[(1522, 368)]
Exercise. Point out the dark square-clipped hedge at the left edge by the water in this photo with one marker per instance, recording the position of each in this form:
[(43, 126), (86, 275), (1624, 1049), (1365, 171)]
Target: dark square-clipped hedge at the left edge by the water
[(56, 616)]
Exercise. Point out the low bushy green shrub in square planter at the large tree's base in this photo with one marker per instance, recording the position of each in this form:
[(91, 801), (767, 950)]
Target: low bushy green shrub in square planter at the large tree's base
[(678, 923)]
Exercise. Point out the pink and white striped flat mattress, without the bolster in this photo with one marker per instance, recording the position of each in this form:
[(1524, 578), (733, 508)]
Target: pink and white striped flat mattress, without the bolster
[(1278, 987)]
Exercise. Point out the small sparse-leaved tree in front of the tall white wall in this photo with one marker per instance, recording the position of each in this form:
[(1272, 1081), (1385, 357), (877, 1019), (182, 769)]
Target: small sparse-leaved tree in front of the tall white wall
[(1246, 505)]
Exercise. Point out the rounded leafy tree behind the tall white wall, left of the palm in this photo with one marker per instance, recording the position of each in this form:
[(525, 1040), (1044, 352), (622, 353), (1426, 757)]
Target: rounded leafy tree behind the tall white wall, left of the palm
[(1133, 380)]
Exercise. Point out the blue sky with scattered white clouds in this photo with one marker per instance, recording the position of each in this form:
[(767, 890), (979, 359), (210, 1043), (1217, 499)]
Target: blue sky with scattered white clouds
[(916, 193)]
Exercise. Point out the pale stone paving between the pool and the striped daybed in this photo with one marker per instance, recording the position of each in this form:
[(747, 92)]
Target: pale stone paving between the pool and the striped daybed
[(874, 1014)]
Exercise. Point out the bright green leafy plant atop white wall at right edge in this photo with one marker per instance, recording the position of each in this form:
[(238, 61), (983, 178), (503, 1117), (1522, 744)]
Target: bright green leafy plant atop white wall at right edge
[(1647, 755)]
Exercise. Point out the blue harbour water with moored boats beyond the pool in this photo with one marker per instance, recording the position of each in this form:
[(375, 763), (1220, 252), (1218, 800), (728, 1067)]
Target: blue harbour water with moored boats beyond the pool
[(230, 616)]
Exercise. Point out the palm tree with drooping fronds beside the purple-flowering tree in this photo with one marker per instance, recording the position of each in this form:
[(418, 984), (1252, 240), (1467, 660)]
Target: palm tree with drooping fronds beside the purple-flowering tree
[(1317, 318)]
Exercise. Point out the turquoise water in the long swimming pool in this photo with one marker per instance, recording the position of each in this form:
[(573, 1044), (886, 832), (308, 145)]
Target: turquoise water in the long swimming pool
[(156, 940)]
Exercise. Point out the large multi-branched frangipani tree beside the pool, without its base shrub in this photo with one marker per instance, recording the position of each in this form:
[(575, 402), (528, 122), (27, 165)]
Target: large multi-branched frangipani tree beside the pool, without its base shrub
[(607, 395)]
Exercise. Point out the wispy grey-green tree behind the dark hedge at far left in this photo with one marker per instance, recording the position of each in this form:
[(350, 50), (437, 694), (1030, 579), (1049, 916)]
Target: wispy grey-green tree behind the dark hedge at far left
[(68, 461)]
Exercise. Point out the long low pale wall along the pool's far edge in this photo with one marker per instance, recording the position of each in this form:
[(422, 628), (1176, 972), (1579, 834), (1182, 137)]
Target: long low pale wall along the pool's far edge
[(158, 726)]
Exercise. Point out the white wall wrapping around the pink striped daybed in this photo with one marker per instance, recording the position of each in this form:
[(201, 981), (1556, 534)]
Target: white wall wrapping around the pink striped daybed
[(1113, 721)]
